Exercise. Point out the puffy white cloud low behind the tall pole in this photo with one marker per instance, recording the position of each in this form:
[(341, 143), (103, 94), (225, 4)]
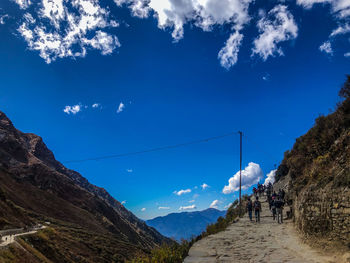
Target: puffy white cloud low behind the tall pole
[(250, 175)]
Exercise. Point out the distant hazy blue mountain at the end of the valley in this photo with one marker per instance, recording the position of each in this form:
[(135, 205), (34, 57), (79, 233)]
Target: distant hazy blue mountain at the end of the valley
[(186, 224)]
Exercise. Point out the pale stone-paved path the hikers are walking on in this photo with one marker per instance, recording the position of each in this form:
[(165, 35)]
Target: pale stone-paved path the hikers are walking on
[(247, 241)]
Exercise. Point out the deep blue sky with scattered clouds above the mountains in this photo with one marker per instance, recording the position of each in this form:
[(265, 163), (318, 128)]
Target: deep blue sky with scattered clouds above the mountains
[(178, 71)]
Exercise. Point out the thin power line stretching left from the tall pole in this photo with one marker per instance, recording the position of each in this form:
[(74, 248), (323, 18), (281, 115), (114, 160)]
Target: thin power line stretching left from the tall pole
[(153, 149)]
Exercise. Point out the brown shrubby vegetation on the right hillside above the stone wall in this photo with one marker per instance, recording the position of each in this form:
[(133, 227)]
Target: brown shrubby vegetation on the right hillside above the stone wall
[(321, 156)]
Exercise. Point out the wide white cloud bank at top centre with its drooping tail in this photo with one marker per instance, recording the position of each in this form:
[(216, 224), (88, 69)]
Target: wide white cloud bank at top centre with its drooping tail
[(205, 14)]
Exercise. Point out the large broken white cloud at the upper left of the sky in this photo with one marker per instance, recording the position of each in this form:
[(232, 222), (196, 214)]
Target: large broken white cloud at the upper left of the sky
[(63, 28)]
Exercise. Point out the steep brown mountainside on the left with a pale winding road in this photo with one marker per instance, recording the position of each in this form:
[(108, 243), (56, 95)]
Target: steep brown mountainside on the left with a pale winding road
[(86, 223)]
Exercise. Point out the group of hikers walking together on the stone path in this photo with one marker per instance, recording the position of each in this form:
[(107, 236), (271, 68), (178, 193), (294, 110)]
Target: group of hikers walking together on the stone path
[(275, 201)]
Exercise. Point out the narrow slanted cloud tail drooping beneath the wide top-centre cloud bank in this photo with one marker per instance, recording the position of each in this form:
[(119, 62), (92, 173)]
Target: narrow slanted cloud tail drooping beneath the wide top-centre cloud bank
[(228, 55)]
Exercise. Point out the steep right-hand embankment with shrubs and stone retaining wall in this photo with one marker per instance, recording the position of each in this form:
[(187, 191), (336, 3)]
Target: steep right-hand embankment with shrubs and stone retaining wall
[(316, 175)]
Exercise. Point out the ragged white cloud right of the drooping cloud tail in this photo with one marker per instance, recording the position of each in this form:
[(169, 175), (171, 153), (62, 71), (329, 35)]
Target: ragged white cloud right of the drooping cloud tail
[(275, 27)]
